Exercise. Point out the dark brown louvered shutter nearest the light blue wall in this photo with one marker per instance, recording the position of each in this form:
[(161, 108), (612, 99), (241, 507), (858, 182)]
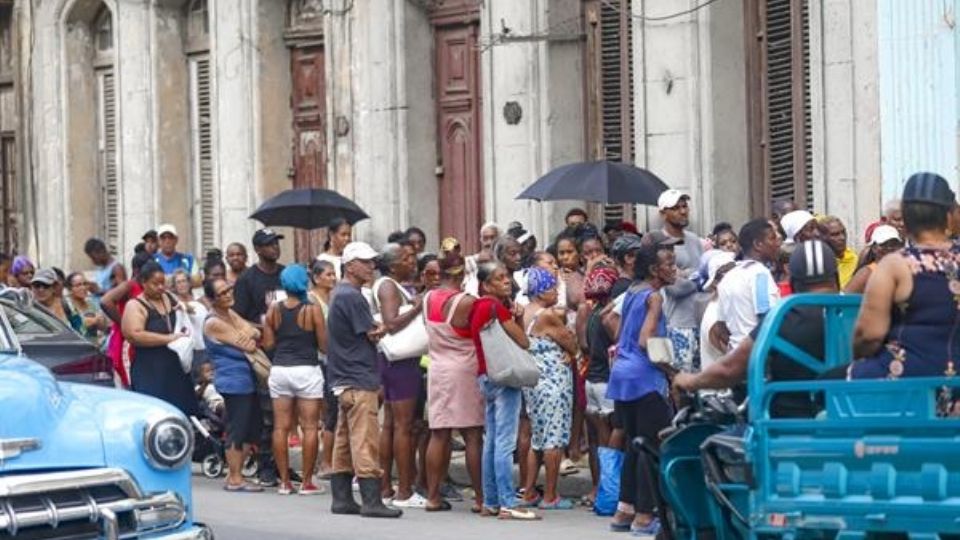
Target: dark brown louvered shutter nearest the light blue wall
[(787, 141)]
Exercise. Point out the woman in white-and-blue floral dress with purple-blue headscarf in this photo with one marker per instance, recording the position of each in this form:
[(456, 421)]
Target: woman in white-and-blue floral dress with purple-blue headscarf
[(549, 404)]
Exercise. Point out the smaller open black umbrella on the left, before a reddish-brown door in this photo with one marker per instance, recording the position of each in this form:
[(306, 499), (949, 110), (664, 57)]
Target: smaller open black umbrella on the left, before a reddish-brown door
[(307, 209)]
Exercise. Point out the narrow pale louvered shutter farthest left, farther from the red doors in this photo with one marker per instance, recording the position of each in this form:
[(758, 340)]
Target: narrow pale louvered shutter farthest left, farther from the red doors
[(109, 182)]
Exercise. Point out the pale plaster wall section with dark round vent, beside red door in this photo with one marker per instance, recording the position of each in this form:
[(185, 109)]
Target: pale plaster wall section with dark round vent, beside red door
[(545, 79)]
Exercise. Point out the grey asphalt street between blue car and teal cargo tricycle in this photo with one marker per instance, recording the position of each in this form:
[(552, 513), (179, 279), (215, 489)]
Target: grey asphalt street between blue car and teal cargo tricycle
[(255, 516)]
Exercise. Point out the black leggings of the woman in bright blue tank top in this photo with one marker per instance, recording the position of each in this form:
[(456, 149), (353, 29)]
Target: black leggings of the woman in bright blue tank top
[(641, 417)]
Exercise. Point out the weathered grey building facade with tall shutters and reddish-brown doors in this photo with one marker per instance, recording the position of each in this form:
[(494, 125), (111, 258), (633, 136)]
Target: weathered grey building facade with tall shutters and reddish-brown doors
[(117, 115)]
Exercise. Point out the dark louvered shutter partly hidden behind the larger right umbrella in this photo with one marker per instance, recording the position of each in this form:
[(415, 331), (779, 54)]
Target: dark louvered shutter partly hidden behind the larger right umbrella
[(616, 88)]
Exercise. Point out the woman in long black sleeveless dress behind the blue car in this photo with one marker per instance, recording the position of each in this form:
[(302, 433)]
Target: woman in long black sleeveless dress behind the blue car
[(148, 324)]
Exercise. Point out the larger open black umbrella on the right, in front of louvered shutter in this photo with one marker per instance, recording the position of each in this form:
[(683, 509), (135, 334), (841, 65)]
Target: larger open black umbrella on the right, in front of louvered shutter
[(605, 182)]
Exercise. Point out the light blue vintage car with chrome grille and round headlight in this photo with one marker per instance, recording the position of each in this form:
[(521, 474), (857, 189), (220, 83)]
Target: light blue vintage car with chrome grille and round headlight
[(82, 461)]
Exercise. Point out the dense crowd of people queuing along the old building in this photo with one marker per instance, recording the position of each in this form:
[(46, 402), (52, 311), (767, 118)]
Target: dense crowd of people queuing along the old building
[(299, 353)]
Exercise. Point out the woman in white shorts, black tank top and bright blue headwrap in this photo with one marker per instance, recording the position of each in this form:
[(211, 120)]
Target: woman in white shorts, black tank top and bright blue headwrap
[(295, 330)]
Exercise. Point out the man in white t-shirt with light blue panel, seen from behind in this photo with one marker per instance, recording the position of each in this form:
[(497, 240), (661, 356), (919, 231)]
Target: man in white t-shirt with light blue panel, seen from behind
[(748, 290)]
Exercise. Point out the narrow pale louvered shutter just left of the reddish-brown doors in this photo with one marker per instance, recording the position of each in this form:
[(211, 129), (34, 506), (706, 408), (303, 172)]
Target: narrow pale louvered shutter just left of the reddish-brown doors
[(202, 134)]
